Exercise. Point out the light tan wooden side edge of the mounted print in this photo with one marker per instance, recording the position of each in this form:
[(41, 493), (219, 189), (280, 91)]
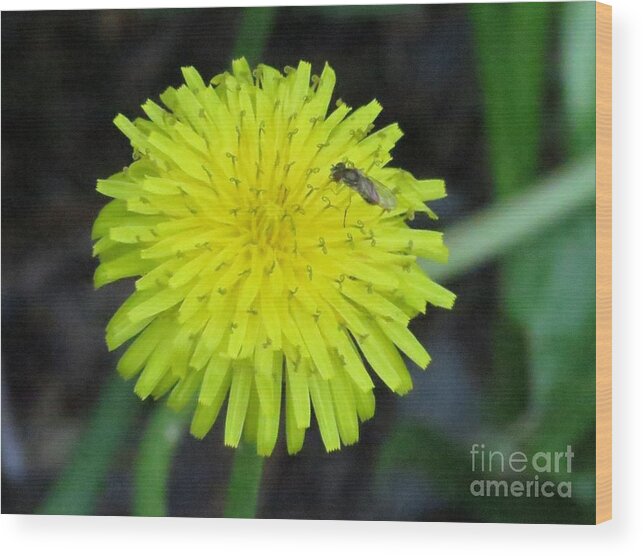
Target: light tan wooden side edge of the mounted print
[(603, 262)]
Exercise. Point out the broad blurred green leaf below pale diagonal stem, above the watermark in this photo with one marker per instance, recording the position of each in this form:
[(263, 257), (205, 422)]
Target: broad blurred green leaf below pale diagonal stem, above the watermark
[(550, 291)]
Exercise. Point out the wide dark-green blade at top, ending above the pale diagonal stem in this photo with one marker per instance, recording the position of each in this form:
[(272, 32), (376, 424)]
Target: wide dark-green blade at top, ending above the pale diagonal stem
[(511, 43)]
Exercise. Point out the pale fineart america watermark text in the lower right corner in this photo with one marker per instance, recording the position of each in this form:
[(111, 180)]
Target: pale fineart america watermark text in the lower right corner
[(486, 463)]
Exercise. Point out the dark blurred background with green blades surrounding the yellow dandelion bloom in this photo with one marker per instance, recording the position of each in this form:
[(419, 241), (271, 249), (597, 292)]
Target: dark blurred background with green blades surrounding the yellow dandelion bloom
[(499, 100)]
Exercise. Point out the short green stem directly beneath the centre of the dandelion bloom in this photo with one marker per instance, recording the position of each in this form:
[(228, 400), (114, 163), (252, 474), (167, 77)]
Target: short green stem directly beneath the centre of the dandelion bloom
[(245, 480)]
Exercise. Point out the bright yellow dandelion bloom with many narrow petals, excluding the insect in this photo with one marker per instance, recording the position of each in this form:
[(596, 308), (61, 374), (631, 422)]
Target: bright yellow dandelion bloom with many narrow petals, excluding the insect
[(259, 279)]
